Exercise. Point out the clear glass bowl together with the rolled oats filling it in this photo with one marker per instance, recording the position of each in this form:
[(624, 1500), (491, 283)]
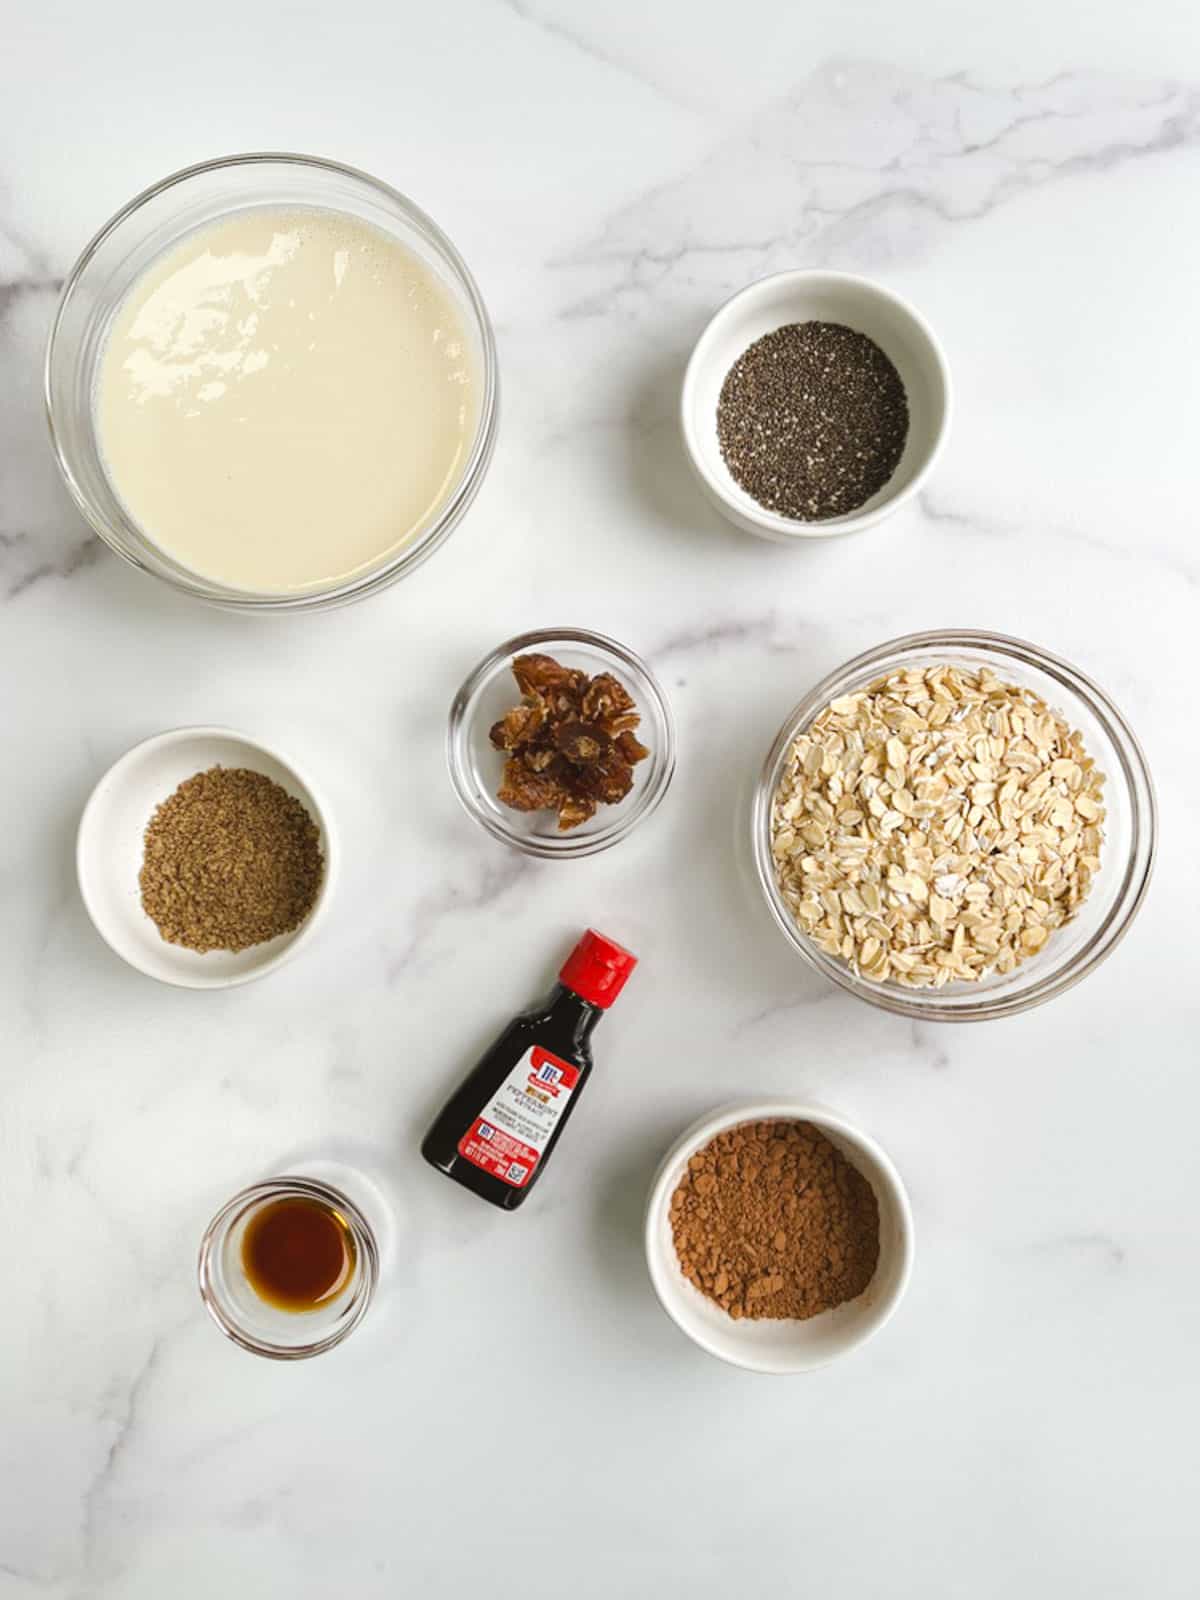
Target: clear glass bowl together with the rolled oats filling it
[(954, 826)]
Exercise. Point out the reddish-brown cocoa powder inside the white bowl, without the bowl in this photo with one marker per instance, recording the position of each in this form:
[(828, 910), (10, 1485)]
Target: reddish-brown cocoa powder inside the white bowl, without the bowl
[(772, 1220)]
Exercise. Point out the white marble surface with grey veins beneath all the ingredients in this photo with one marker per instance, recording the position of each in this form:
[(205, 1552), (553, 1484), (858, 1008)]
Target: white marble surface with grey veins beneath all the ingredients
[(519, 1414)]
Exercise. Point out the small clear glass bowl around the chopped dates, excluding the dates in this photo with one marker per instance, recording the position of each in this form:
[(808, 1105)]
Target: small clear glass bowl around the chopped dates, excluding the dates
[(476, 766)]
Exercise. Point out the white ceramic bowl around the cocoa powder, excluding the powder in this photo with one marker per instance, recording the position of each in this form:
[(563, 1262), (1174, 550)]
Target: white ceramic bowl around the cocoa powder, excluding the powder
[(782, 1346)]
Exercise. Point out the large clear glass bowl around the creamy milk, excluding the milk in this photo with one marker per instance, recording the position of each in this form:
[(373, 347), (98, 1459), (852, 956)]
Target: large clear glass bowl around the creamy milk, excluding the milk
[(158, 220)]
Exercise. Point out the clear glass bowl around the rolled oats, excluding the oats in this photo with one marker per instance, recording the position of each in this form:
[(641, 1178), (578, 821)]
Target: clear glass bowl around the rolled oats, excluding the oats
[(1130, 828)]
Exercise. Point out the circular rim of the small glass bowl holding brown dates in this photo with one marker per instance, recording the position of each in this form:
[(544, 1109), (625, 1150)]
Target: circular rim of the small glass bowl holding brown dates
[(566, 847)]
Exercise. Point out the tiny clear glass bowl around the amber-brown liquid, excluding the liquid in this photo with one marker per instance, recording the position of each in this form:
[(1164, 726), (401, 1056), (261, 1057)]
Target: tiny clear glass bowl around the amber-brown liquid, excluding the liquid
[(247, 1319)]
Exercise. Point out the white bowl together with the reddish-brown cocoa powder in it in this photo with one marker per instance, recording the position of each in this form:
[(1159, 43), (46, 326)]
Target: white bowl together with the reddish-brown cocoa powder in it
[(778, 1236)]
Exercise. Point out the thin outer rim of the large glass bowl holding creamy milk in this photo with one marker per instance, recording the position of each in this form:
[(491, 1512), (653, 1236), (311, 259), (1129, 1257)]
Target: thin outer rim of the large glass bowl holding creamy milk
[(410, 556)]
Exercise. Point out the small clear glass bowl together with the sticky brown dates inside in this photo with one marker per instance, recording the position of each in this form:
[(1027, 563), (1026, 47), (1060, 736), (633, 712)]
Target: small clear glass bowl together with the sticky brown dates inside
[(561, 743)]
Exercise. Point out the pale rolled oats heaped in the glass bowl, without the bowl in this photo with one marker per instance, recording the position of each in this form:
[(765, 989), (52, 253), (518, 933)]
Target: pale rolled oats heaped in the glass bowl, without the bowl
[(937, 826)]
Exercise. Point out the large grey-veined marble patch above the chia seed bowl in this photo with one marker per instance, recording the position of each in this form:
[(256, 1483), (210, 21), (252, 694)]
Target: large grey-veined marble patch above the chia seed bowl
[(870, 162)]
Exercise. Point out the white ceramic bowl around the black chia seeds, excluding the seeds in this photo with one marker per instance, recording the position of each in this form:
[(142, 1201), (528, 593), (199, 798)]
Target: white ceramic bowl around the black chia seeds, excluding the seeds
[(817, 297)]
